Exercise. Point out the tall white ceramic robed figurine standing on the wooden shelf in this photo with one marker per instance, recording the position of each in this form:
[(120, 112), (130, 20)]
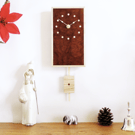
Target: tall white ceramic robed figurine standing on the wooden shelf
[(28, 98)]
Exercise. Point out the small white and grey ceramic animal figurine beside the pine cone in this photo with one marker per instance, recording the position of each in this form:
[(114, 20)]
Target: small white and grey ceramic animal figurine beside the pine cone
[(70, 120)]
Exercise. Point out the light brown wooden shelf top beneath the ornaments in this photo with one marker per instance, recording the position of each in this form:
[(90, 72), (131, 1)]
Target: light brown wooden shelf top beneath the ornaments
[(62, 129)]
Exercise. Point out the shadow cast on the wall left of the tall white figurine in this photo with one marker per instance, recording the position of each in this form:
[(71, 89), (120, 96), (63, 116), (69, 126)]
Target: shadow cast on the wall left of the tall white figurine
[(13, 98)]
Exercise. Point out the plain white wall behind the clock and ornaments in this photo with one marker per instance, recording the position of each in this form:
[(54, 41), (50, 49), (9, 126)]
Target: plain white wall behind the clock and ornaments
[(108, 80)]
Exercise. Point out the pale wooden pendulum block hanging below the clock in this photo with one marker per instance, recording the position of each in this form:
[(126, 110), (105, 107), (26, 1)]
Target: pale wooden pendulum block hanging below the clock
[(69, 84)]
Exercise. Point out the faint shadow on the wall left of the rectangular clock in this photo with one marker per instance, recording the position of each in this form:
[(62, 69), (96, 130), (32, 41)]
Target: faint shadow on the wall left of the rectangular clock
[(46, 39)]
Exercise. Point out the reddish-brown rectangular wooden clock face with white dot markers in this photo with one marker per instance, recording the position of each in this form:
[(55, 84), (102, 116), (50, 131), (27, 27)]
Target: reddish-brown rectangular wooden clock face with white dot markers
[(68, 36)]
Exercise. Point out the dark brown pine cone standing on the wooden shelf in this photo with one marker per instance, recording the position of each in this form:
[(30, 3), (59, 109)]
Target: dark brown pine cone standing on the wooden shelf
[(105, 117)]
